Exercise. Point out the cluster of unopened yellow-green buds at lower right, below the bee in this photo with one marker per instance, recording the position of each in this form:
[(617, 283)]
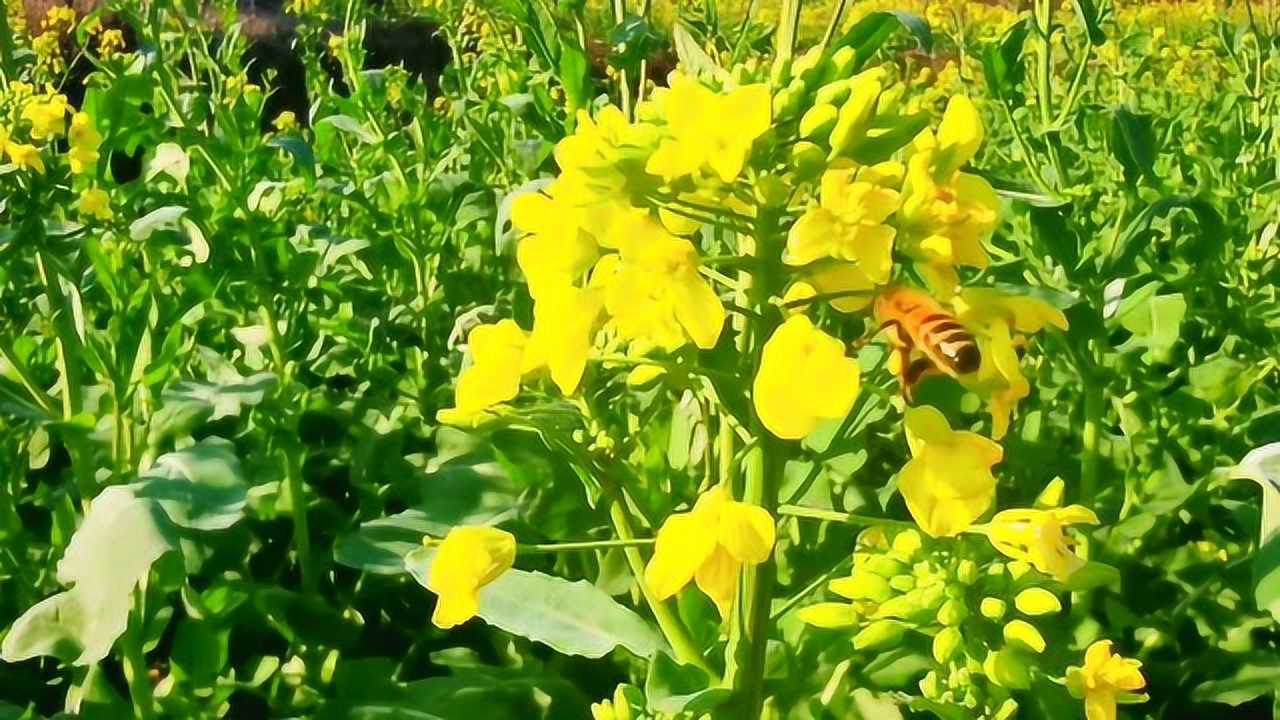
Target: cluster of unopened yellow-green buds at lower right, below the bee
[(981, 616)]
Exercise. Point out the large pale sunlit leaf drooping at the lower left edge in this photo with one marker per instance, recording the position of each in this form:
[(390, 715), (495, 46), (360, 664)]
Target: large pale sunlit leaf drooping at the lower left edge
[(106, 560)]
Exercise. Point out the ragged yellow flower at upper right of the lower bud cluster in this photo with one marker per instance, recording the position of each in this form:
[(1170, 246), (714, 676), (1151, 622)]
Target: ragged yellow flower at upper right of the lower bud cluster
[(1039, 537)]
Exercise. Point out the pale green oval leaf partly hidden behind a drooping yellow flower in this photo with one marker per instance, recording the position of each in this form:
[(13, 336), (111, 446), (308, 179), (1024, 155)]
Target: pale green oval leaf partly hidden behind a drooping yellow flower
[(573, 618)]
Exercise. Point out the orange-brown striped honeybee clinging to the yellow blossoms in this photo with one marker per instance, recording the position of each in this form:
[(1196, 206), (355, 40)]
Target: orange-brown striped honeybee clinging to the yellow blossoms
[(913, 321)]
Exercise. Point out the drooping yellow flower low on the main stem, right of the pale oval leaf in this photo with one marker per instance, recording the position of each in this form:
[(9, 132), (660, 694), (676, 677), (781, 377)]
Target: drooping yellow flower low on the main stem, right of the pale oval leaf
[(710, 545)]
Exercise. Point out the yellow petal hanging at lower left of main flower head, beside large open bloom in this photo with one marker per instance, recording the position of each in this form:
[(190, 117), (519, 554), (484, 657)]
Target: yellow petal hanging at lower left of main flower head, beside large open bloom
[(564, 332)]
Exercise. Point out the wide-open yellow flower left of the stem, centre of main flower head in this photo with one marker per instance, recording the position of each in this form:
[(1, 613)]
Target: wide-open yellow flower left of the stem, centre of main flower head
[(653, 290)]
